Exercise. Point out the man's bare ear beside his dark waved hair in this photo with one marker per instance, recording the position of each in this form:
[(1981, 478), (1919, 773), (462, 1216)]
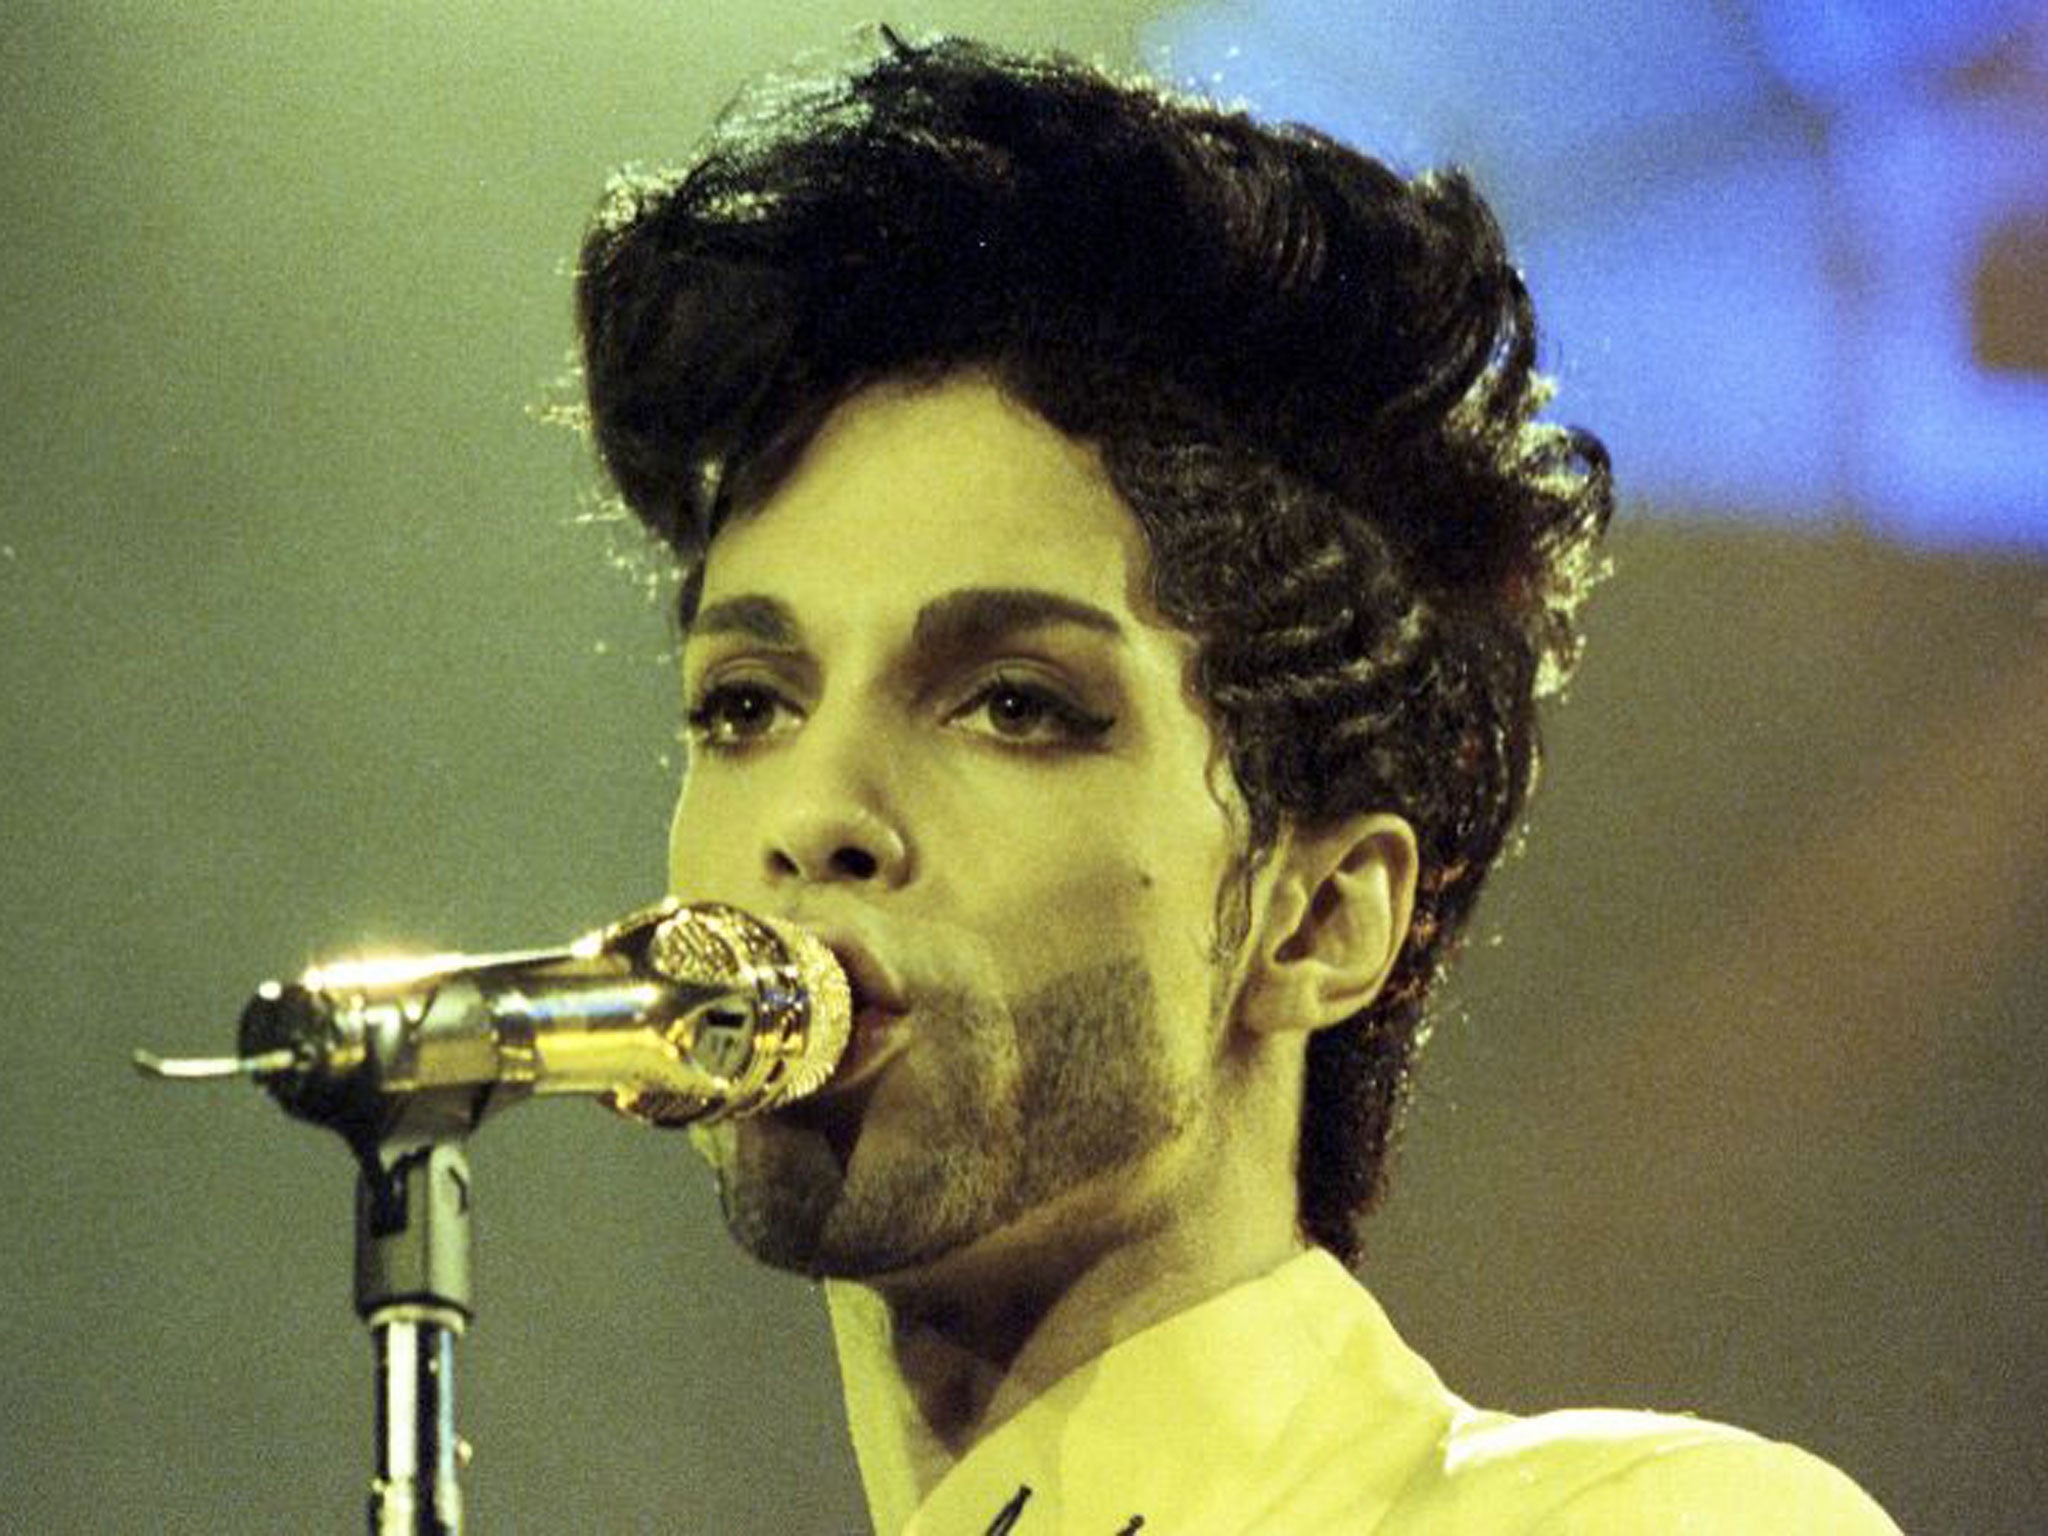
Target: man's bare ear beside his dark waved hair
[(1338, 910)]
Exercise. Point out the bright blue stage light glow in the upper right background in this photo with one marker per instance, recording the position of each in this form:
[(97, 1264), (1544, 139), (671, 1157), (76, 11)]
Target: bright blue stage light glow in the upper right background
[(1758, 234)]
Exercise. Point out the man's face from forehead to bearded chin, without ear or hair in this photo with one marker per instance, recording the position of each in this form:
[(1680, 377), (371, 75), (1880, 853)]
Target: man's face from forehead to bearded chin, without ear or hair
[(935, 720)]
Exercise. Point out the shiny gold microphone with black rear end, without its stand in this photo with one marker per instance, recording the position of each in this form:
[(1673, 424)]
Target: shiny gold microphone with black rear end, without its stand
[(673, 1015)]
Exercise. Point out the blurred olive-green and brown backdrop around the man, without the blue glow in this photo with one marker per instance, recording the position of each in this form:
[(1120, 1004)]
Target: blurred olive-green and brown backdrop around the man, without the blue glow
[(308, 646)]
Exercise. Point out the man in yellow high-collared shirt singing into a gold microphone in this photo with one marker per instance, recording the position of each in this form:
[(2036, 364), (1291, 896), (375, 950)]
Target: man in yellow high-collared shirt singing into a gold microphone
[(1119, 568)]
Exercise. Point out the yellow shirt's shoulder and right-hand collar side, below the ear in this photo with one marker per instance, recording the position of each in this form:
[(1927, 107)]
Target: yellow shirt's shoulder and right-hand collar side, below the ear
[(1291, 1408)]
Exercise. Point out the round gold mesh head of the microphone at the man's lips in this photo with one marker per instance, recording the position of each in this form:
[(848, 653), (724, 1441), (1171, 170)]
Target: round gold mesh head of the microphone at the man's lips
[(781, 1033)]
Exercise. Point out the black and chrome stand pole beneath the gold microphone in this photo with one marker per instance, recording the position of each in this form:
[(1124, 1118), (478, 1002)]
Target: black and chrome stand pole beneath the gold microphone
[(413, 1291)]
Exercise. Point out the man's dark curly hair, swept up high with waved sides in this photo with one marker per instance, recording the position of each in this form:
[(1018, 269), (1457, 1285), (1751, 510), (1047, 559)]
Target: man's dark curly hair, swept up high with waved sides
[(1310, 378)]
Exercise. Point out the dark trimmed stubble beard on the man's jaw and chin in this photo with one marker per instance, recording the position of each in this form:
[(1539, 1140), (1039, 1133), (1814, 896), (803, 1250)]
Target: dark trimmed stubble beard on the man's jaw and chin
[(992, 1111)]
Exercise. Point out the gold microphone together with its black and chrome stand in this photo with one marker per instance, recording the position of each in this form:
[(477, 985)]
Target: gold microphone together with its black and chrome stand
[(671, 1015)]
